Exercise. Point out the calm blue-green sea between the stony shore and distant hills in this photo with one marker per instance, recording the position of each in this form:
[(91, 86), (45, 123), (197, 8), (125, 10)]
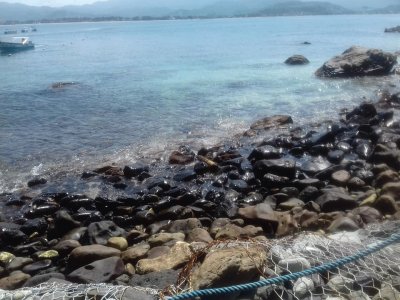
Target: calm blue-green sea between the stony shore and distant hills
[(143, 88)]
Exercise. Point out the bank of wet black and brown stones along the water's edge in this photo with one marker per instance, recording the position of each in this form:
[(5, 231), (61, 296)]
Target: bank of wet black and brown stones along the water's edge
[(147, 221)]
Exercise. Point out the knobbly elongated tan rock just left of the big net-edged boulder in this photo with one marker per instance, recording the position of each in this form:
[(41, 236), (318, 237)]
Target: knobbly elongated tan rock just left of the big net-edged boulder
[(179, 254)]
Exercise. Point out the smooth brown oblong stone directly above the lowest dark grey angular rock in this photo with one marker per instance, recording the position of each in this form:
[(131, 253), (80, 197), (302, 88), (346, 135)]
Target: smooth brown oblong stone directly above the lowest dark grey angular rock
[(86, 254)]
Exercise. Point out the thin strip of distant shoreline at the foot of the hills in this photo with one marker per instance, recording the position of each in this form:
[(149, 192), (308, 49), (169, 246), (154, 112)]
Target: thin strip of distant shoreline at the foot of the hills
[(166, 18)]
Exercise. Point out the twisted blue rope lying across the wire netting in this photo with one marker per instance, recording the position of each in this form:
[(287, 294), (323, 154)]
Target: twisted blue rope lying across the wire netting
[(293, 276)]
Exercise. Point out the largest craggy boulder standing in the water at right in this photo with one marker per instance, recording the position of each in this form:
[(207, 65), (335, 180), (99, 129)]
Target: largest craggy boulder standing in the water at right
[(358, 61)]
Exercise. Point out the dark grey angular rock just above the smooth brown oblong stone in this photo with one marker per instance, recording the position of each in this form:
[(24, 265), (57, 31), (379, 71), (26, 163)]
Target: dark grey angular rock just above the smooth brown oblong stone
[(100, 232)]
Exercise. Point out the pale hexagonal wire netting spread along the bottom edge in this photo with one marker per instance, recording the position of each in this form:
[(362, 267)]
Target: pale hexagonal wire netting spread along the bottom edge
[(376, 276)]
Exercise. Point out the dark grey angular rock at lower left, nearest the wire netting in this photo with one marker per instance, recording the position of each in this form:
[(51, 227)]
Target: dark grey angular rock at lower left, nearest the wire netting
[(98, 271)]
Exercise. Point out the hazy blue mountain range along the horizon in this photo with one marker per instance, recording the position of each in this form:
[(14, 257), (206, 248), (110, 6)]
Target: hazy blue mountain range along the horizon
[(181, 8)]
